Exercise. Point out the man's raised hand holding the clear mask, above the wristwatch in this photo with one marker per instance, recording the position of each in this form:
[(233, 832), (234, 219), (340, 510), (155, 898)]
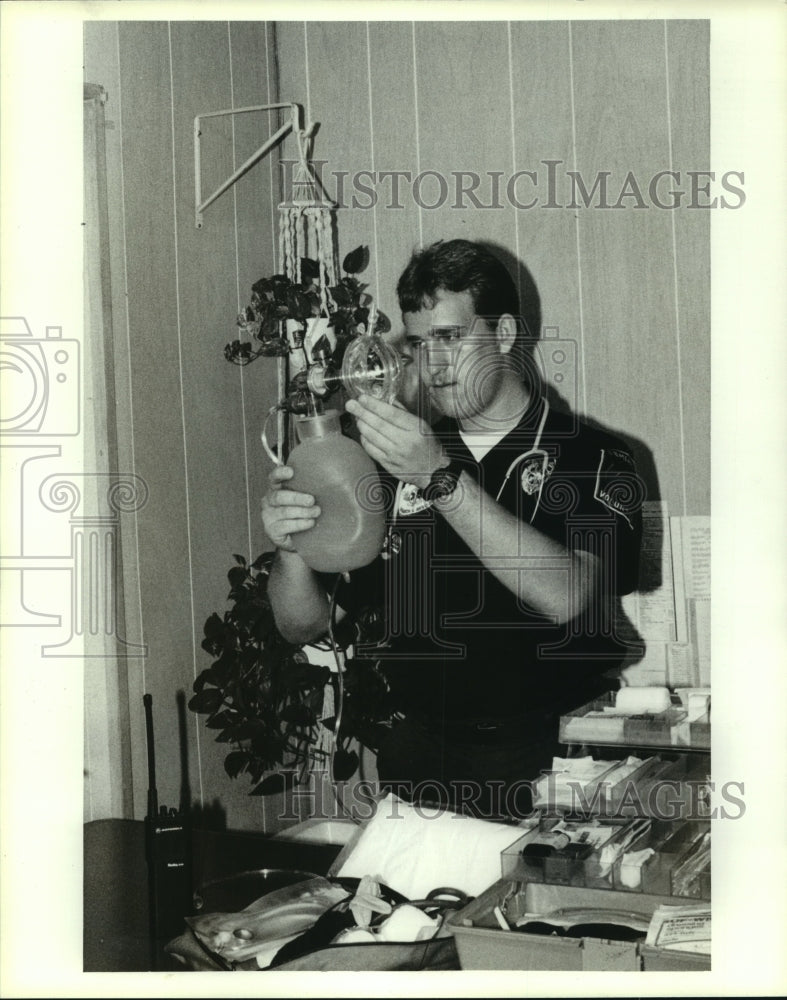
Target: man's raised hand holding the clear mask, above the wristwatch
[(401, 442)]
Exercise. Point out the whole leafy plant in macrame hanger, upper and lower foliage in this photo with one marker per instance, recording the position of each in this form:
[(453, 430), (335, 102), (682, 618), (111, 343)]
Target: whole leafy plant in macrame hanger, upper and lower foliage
[(261, 694)]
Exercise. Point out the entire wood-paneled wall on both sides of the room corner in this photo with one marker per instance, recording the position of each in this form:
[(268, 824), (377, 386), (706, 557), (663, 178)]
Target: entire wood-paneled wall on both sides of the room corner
[(627, 288)]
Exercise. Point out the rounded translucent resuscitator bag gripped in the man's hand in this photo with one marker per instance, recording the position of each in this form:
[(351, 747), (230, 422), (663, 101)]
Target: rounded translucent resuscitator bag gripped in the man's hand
[(338, 473)]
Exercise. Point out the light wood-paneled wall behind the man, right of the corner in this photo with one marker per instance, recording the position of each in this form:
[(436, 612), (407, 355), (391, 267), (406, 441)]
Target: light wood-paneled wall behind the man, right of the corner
[(630, 286)]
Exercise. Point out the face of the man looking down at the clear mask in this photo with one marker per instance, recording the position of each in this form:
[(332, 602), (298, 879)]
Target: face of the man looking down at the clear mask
[(457, 355)]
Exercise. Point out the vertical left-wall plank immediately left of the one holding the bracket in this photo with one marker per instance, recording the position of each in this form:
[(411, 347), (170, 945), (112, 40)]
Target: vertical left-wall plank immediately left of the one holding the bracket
[(158, 428)]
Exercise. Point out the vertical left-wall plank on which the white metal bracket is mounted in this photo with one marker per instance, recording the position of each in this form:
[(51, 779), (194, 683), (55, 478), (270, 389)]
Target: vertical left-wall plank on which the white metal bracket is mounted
[(212, 399)]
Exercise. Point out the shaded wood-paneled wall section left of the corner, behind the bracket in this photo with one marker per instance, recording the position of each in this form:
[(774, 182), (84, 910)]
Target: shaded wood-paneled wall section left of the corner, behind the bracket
[(189, 422)]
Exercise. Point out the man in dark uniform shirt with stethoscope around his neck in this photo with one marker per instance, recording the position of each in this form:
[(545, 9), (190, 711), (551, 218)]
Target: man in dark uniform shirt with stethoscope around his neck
[(513, 529)]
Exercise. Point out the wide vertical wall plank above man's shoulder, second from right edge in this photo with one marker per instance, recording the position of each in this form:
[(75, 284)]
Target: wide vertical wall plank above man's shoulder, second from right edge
[(628, 289)]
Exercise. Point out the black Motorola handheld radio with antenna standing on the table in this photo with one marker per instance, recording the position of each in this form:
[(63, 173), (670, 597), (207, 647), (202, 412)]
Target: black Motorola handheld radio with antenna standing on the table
[(168, 849)]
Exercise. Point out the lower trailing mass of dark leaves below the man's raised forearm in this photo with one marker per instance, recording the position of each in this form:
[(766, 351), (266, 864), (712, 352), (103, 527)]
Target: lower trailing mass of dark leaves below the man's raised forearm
[(265, 699)]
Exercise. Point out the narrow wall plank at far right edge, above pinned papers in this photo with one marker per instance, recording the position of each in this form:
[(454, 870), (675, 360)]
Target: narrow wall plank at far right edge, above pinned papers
[(688, 51)]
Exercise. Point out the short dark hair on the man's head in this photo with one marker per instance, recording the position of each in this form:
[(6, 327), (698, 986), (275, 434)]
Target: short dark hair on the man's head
[(458, 266)]
